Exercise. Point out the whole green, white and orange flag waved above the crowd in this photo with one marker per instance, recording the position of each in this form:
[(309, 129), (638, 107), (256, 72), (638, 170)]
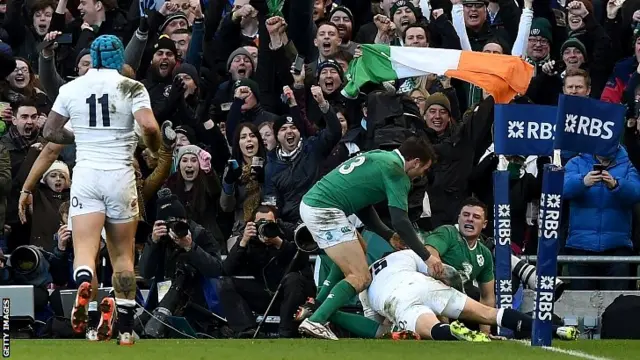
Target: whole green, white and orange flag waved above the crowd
[(502, 76)]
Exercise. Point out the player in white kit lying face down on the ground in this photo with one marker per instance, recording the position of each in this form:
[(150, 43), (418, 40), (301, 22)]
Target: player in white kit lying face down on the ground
[(402, 292)]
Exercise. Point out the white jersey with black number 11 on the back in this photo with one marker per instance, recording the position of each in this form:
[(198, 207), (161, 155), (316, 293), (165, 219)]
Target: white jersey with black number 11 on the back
[(100, 107)]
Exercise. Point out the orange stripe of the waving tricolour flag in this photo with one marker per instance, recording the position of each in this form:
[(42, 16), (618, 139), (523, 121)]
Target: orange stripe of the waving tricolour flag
[(502, 76)]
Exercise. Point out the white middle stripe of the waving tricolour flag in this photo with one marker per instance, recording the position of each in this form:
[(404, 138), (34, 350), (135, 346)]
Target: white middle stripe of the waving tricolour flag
[(413, 61)]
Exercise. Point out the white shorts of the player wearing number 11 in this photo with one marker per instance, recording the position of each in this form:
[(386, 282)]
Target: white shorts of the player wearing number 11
[(111, 192)]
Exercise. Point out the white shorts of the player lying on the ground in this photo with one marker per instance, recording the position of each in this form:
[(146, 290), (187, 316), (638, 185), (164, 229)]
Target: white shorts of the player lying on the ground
[(414, 294)]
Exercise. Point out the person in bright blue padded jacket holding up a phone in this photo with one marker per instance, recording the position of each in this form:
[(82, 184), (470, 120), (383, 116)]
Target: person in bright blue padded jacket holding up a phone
[(602, 191)]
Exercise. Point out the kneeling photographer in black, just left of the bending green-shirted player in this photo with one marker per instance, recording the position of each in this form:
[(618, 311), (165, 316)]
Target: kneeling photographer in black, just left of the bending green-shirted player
[(263, 253)]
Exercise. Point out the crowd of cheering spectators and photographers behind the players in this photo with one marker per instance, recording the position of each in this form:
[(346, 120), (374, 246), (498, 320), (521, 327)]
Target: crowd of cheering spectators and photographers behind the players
[(251, 135)]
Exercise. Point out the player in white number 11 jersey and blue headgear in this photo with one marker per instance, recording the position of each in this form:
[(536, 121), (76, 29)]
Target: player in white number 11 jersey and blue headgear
[(102, 106)]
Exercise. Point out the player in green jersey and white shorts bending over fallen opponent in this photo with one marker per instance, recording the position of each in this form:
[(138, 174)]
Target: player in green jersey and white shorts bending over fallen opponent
[(353, 188)]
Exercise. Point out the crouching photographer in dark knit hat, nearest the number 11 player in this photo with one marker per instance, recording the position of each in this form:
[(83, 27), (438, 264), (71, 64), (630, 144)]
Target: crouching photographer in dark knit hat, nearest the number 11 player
[(178, 252)]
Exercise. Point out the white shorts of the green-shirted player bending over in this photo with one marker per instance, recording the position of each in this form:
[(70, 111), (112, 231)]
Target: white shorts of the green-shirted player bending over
[(329, 227)]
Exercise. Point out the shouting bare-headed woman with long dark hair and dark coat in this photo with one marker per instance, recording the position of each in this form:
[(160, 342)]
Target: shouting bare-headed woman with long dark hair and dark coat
[(244, 176)]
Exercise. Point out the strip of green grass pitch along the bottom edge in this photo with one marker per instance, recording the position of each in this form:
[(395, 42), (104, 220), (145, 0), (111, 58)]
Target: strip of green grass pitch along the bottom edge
[(315, 349)]
